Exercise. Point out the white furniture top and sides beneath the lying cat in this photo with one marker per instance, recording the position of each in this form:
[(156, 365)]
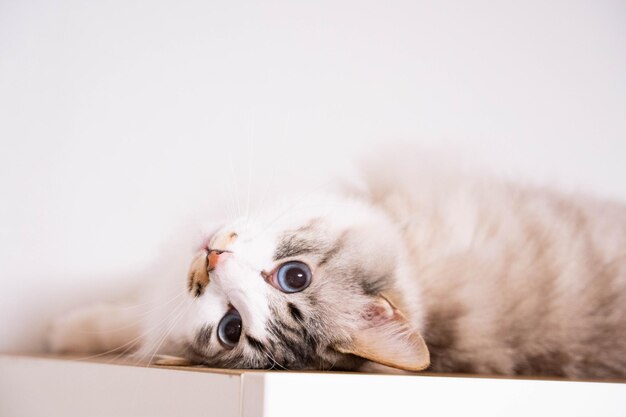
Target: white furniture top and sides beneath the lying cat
[(35, 386)]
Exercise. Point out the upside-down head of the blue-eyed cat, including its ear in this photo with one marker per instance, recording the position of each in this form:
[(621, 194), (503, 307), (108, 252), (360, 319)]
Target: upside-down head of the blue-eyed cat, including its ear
[(300, 287)]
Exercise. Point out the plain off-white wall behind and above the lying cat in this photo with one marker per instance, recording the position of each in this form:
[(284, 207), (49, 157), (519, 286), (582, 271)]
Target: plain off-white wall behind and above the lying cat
[(119, 118)]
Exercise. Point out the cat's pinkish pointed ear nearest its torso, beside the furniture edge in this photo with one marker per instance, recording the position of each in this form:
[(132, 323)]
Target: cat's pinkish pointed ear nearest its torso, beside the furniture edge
[(383, 335)]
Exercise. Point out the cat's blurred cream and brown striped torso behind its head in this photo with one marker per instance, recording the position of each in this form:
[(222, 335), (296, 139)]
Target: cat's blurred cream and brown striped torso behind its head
[(513, 279)]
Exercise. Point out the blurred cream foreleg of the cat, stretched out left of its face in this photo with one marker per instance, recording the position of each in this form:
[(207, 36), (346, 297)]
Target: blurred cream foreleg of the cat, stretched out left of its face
[(96, 329)]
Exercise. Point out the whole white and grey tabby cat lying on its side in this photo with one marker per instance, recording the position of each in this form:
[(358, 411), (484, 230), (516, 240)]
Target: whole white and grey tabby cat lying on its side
[(415, 268)]
